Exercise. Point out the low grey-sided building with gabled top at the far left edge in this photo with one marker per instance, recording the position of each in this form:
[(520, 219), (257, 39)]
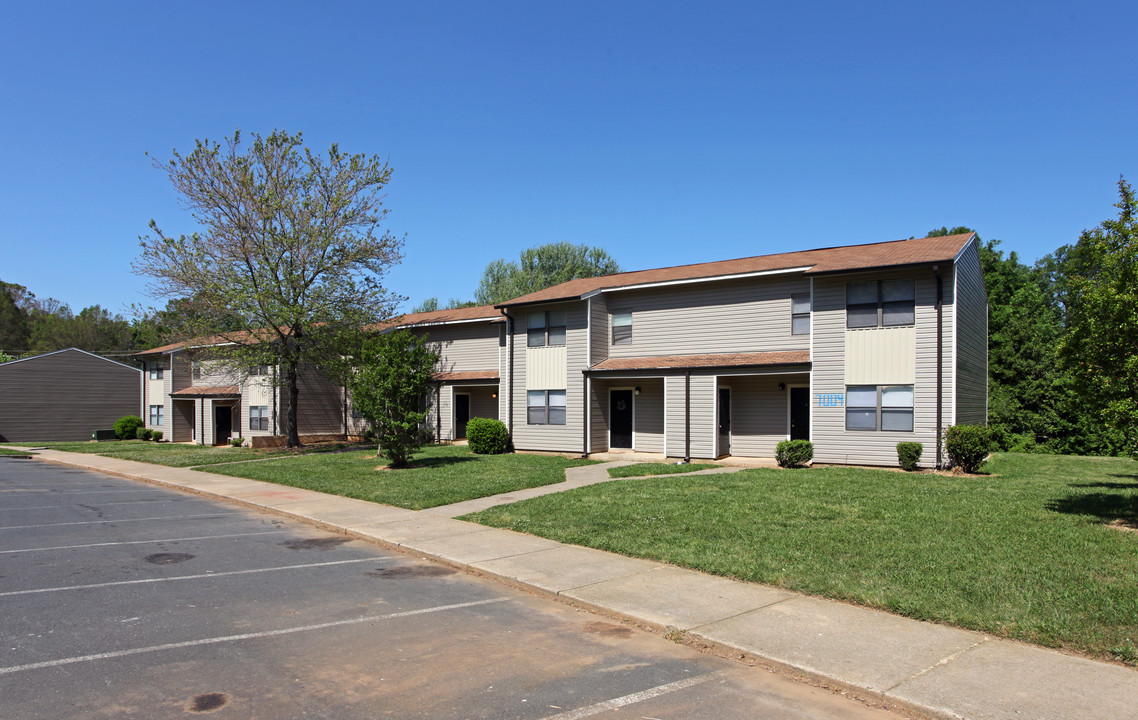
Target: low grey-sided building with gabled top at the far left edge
[(65, 396)]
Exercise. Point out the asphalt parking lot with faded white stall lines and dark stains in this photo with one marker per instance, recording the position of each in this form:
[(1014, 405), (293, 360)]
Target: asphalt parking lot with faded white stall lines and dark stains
[(122, 600)]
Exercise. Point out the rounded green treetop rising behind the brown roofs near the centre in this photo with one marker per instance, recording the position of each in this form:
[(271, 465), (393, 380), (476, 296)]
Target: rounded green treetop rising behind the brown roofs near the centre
[(540, 268)]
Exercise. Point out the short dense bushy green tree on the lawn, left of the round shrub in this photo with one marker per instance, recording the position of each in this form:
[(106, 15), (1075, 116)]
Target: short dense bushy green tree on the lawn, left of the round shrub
[(390, 390)]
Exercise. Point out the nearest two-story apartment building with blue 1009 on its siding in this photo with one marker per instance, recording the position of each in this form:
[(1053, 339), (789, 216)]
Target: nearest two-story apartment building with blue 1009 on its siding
[(855, 349)]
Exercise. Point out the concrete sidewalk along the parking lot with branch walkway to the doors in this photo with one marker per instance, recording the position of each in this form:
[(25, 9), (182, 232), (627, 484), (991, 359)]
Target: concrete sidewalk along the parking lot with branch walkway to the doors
[(917, 667)]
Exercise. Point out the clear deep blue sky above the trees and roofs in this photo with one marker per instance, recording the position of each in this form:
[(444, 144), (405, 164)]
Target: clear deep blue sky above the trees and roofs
[(664, 133)]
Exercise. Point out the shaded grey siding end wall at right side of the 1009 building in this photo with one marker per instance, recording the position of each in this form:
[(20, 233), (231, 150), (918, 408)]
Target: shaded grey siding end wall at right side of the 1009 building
[(972, 340)]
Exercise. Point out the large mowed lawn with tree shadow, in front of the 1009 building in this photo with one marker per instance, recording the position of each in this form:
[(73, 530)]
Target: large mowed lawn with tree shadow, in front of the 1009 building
[(1026, 552)]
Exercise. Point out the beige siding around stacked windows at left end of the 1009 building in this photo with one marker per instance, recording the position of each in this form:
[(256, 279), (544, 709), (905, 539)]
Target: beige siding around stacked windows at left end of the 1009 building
[(570, 437)]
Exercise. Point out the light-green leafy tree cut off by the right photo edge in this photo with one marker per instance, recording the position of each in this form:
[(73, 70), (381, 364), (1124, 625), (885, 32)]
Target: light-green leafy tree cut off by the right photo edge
[(1101, 347)]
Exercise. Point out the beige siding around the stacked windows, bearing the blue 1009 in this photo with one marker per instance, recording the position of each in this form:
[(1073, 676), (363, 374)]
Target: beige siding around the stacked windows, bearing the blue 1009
[(832, 443)]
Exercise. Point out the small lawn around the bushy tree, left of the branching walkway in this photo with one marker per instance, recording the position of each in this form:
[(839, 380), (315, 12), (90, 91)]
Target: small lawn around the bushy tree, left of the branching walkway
[(440, 475)]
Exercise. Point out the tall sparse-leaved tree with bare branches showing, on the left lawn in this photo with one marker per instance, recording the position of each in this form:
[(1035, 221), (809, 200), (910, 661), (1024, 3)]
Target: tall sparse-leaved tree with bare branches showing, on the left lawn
[(290, 256)]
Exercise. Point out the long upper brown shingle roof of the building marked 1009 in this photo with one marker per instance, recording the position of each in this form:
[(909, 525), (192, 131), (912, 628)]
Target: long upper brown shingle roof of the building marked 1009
[(817, 262)]
